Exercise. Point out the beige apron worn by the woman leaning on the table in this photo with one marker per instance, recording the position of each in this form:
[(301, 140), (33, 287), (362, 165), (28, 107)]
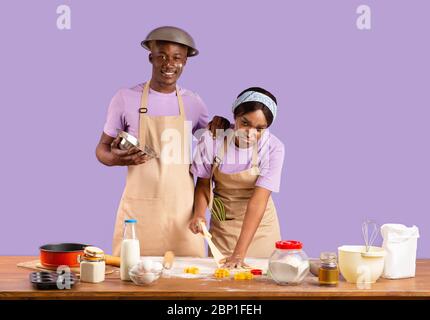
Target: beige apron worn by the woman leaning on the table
[(235, 190)]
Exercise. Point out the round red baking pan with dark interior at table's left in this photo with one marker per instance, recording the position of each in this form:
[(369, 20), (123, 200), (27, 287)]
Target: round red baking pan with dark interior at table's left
[(54, 255)]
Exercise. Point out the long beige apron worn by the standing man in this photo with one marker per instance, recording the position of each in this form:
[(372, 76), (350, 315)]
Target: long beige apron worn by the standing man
[(160, 195)]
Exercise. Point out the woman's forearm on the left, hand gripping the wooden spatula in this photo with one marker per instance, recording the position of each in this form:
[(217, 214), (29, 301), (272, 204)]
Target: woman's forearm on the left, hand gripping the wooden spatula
[(201, 200)]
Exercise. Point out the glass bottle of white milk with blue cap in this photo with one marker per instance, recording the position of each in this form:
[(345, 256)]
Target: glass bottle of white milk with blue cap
[(130, 249)]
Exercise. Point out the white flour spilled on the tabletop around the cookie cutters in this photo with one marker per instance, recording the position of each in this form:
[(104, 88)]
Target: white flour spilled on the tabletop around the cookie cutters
[(207, 267)]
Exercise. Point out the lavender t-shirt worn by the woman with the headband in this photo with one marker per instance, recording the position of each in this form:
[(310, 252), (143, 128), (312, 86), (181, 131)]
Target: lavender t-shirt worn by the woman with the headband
[(270, 159)]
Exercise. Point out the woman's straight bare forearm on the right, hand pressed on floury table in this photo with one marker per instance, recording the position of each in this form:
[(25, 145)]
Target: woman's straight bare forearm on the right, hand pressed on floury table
[(254, 214)]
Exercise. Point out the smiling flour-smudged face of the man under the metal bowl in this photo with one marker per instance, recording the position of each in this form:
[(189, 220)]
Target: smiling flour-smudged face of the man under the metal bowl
[(168, 60)]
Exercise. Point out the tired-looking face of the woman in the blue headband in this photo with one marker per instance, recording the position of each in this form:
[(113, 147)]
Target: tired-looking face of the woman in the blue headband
[(249, 128)]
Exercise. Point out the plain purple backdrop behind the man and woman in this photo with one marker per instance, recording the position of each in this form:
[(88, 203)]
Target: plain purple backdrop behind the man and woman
[(353, 109)]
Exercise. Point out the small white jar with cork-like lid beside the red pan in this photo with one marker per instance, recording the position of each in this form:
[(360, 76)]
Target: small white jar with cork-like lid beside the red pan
[(92, 265)]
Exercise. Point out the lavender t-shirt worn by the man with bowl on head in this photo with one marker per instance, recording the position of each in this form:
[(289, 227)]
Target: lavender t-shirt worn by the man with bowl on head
[(123, 112)]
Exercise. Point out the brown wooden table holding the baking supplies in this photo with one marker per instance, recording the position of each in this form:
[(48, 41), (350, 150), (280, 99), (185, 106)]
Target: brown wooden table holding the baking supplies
[(14, 284)]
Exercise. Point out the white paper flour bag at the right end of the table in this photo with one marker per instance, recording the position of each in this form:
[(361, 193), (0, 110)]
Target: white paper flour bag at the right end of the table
[(400, 244)]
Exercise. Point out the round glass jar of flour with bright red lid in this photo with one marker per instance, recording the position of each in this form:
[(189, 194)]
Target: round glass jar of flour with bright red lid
[(288, 264)]
